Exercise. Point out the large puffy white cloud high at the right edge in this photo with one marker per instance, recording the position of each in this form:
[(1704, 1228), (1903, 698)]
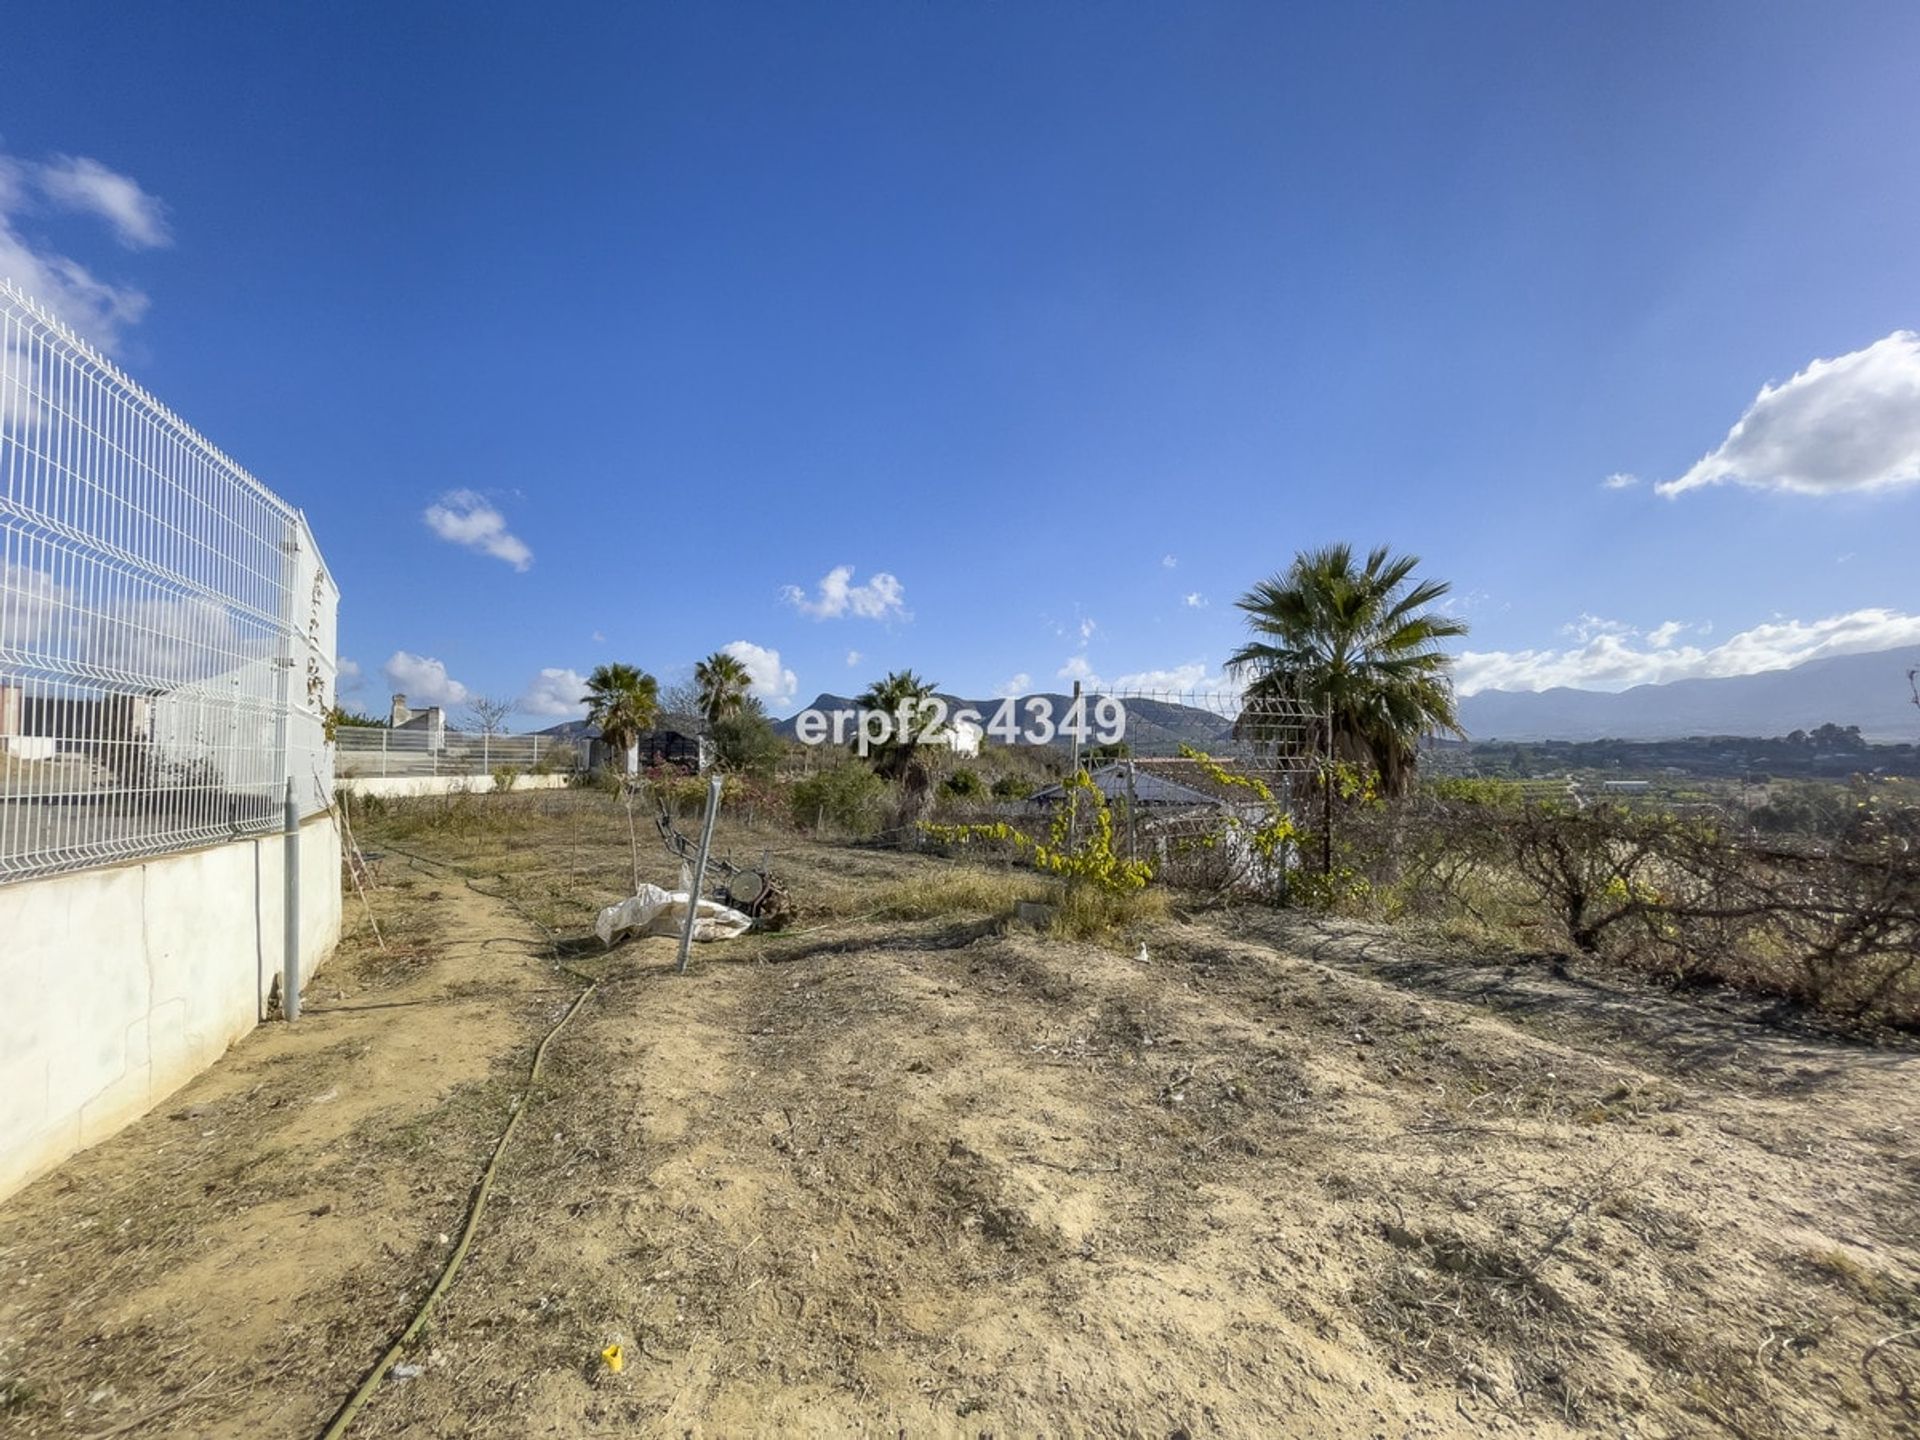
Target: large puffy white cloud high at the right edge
[(1850, 423)]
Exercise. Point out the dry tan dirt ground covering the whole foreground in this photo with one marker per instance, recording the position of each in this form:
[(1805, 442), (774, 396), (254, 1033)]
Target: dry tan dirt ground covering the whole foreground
[(944, 1176)]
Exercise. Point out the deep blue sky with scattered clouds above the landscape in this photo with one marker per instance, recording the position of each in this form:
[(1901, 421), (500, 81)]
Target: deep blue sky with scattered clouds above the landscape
[(1013, 341)]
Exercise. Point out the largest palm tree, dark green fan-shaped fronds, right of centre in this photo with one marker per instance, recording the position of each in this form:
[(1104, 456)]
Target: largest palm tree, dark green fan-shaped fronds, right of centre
[(1360, 648)]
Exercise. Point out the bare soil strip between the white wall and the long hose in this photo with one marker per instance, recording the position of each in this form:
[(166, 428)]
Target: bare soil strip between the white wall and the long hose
[(237, 1251)]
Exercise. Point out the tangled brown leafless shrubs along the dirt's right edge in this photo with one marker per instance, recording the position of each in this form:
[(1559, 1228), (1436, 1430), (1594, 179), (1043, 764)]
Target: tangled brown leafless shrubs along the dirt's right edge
[(1833, 924)]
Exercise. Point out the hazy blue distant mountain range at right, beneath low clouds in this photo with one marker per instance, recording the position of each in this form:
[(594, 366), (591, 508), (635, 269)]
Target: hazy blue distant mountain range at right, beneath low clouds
[(1850, 690)]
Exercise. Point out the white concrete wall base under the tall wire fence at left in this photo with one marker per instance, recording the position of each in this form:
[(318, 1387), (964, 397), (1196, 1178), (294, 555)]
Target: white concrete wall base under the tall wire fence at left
[(120, 986)]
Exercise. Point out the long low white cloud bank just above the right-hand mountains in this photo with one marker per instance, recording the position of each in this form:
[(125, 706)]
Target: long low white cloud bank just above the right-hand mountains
[(1620, 658)]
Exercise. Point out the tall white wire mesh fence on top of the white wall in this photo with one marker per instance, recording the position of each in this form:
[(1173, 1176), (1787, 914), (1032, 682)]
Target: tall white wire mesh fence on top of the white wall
[(166, 621)]
